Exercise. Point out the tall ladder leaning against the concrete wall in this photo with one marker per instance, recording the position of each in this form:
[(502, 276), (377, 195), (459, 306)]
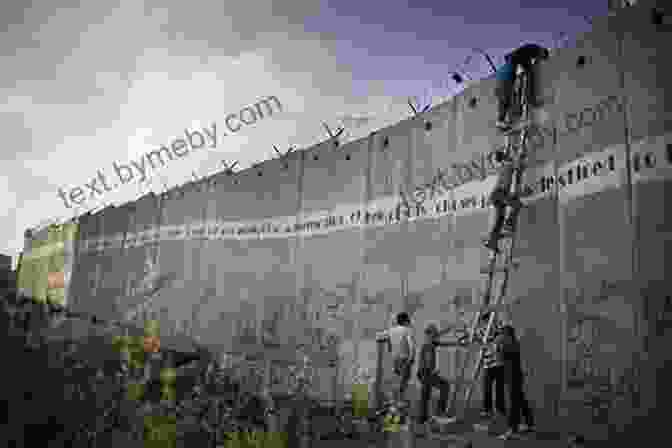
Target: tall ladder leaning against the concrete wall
[(500, 264)]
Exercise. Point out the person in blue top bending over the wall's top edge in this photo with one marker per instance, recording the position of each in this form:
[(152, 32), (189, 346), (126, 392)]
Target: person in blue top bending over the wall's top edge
[(523, 57)]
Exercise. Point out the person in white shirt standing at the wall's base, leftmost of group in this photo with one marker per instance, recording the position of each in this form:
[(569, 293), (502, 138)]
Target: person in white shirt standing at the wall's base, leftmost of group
[(401, 344)]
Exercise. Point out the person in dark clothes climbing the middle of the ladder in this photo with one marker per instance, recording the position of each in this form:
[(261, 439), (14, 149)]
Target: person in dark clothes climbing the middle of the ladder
[(501, 198)]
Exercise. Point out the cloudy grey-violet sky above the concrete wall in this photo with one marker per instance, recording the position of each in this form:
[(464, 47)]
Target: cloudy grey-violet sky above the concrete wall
[(83, 86)]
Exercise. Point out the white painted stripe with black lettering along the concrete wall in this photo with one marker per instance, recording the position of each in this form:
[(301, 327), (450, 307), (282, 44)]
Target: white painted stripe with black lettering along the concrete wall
[(590, 174)]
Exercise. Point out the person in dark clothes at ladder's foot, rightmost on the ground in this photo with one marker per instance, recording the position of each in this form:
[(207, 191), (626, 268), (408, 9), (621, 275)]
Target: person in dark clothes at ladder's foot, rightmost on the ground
[(513, 374)]
